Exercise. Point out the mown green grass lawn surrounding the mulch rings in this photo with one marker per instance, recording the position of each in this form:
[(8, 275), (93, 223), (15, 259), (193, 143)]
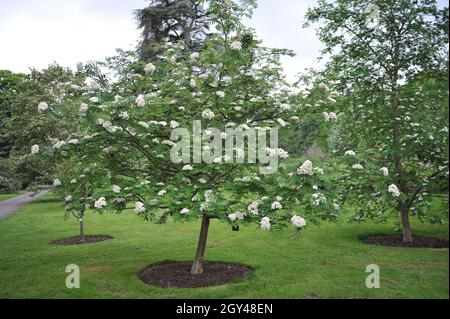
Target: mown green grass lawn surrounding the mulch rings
[(326, 262)]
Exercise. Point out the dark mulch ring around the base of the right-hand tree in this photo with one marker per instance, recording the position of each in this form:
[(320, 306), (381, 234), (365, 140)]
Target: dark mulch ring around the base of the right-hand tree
[(396, 241)]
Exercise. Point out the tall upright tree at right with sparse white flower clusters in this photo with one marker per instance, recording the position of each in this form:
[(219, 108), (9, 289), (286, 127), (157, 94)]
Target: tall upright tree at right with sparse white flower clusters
[(394, 126)]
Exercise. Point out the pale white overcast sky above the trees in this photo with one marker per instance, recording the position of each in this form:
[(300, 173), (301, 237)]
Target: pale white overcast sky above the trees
[(36, 33)]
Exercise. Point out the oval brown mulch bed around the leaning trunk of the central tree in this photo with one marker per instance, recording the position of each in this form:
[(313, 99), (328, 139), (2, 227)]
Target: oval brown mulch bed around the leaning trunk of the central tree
[(178, 274)]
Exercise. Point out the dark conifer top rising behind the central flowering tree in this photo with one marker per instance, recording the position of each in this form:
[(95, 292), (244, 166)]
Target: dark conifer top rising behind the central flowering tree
[(171, 20)]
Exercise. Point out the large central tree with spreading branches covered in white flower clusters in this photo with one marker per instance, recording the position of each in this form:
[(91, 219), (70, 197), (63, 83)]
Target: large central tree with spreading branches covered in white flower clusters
[(141, 125)]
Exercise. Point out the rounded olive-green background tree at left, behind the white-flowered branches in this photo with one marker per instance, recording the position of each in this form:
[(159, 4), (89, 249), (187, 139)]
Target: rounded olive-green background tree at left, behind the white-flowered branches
[(27, 125)]
